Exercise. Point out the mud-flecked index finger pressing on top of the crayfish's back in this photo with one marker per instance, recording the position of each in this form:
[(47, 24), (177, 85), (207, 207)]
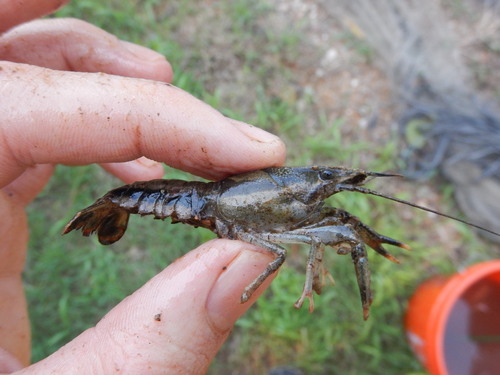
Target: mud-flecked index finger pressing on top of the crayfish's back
[(80, 118)]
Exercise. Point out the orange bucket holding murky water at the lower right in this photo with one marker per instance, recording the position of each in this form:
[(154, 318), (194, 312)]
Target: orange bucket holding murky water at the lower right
[(453, 323)]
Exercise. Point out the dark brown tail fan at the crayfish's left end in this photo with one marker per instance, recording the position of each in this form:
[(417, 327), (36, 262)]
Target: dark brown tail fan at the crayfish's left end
[(109, 221)]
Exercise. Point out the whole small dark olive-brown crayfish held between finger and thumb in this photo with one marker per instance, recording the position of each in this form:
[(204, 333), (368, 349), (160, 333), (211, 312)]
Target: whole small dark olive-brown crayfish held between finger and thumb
[(265, 208)]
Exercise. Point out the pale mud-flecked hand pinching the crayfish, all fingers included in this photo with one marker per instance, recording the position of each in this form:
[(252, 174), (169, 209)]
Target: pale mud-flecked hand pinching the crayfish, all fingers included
[(57, 110)]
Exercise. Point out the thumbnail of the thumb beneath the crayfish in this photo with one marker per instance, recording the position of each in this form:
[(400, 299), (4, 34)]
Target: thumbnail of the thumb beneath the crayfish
[(223, 303)]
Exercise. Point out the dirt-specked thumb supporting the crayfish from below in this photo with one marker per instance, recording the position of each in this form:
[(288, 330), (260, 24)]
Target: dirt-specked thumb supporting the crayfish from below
[(174, 324)]
